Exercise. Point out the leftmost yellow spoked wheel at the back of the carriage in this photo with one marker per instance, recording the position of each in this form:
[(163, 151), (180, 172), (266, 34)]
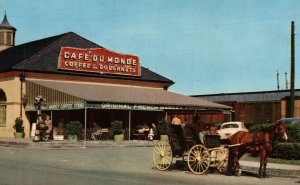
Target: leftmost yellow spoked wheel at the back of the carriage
[(162, 155)]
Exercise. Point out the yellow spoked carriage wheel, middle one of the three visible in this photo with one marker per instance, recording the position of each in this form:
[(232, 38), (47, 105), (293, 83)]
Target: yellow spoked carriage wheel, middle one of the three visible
[(198, 159)]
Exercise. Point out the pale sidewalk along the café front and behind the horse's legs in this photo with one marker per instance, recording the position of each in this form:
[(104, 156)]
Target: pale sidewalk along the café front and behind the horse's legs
[(28, 143)]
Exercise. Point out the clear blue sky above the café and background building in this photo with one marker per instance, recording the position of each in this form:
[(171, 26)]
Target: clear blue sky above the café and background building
[(204, 46)]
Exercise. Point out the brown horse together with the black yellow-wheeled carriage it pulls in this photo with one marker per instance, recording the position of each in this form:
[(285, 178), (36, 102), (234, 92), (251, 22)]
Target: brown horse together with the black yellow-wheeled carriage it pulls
[(199, 156)]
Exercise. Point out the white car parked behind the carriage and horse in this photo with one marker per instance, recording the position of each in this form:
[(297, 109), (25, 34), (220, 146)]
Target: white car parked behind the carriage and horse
[(227, 129)]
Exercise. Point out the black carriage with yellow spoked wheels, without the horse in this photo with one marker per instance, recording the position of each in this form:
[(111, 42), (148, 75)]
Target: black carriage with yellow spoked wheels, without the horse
[(184, 143)]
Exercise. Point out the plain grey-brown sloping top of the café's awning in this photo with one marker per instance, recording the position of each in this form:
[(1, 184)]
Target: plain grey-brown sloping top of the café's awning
[(127, 94)]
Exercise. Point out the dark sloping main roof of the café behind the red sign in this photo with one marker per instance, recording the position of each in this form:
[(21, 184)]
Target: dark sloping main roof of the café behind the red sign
[(42, 56)]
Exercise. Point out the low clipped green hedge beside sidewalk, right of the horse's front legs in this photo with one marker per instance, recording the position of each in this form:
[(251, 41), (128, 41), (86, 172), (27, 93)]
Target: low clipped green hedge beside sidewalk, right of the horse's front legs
[(286, 151)]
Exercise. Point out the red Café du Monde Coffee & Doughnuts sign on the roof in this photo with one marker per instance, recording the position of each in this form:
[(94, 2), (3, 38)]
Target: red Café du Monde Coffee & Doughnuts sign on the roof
[(98, 60)]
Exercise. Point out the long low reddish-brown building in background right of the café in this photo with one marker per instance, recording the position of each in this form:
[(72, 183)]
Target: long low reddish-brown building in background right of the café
[(256, 107)]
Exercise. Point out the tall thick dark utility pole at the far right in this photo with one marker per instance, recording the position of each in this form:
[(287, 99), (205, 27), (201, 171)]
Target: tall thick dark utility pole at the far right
[(292, 103)]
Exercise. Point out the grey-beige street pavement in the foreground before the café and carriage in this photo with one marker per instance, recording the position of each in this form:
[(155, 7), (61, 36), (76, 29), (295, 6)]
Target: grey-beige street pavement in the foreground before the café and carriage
[(108, 165)]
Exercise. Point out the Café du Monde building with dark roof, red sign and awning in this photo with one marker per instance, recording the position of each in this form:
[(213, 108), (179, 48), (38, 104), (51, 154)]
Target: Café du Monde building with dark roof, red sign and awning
[(80, 80)]
